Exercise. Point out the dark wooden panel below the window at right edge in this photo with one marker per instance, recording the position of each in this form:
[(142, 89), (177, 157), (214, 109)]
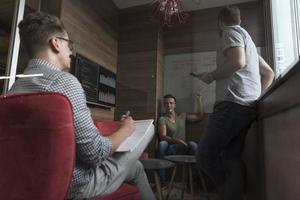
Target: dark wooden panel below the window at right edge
[(279, 113)]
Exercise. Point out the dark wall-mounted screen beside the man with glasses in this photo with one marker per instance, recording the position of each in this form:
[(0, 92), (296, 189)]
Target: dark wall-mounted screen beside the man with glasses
[(98, 82)]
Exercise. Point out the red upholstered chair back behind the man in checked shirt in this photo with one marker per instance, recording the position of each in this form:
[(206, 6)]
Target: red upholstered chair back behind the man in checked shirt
[(37, 146)]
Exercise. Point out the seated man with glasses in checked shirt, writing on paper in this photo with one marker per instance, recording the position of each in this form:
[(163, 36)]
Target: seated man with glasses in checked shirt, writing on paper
[(97, 170)]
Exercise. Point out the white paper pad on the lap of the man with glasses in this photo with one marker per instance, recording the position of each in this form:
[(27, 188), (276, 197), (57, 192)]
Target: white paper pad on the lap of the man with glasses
[(142, 128)]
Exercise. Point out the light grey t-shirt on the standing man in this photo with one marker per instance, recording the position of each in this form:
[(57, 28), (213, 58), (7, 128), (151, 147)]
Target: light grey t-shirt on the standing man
[(243, 86)]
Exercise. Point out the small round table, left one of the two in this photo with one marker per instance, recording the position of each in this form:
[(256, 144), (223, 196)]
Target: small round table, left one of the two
[(155, 165)]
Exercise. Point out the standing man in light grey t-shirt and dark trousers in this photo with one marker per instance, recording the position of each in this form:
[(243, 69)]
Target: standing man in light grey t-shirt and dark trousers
[(241, 76)]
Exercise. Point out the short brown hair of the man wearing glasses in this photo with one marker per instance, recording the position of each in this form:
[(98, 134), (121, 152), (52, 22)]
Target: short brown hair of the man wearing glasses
[(36, 30)]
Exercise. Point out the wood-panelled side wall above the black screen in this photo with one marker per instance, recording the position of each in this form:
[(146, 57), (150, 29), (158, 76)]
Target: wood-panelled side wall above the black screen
[(93, 37)]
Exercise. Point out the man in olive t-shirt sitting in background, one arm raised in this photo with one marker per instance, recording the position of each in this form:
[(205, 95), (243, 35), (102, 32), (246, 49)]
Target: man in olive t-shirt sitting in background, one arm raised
[(171, 128)]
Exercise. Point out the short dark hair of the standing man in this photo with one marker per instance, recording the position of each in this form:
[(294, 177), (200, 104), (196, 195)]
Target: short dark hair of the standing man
[(230, 15)]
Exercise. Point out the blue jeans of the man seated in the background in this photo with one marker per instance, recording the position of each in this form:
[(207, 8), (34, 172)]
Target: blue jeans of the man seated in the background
[(166, 148)]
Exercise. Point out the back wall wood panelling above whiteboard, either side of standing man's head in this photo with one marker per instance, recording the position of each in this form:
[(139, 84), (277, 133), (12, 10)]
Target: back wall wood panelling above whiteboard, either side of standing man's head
[(200, 33)]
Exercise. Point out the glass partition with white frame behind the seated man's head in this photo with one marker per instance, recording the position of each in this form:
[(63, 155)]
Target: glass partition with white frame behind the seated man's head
[(13, 58)]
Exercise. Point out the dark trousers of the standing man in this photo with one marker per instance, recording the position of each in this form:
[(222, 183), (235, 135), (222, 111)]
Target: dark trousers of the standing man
[(222, 145)]
